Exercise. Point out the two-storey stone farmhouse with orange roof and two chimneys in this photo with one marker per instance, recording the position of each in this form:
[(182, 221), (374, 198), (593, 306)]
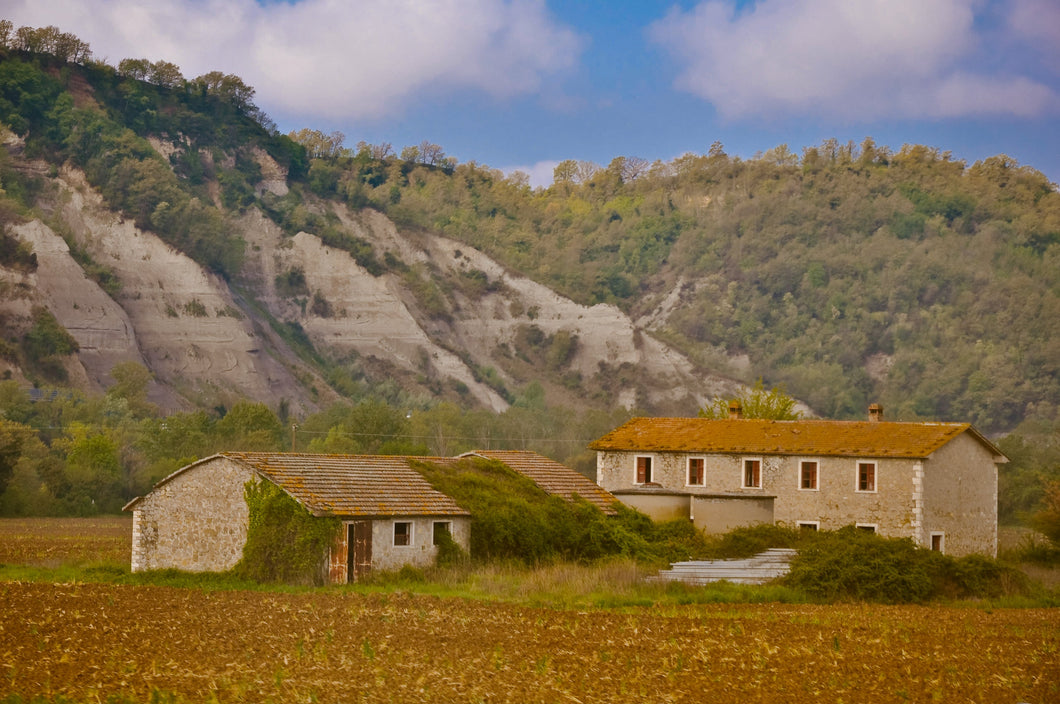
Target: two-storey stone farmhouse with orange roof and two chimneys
[(933, 483)]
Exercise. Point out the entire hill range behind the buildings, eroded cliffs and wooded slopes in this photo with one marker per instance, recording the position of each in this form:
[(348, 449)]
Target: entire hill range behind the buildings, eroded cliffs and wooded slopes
[(167, 224)]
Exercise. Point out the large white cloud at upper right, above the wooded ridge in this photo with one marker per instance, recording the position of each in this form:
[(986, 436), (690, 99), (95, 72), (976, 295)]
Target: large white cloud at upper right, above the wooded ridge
[(868, 60)]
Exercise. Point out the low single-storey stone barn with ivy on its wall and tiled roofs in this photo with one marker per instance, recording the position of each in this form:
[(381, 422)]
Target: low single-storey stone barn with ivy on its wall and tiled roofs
[(196, 520)]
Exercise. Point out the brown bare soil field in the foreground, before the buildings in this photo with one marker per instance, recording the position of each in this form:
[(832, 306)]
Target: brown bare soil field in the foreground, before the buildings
[(89, 642)]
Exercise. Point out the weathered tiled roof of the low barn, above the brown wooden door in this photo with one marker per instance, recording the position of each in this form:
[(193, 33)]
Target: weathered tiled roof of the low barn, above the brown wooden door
[(354, 485)]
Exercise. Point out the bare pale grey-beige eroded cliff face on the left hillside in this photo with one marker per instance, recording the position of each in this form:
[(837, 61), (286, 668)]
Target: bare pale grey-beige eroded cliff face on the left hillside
[(208, 341)]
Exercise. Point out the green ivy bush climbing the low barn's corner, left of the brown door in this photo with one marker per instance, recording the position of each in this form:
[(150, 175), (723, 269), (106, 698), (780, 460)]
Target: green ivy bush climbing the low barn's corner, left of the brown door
[(286, 543)]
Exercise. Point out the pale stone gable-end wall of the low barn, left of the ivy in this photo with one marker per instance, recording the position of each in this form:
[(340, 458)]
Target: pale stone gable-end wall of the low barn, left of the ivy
[(196, 521)]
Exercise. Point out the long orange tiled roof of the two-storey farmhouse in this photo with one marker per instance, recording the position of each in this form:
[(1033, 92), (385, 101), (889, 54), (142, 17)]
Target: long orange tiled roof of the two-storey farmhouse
[(761, 437)]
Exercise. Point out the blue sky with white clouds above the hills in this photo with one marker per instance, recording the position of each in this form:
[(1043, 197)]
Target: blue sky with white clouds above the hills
[(525, 84)]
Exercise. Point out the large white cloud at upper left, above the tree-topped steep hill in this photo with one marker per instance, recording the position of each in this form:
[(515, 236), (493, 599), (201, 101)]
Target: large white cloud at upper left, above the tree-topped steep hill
[(331, 59)]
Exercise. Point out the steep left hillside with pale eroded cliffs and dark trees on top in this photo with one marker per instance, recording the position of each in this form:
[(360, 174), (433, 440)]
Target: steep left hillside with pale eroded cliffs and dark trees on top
[(224, 298)]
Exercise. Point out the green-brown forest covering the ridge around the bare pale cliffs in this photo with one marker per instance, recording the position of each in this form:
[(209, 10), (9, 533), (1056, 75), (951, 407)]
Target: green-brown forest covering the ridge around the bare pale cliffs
[(849, 274)]
